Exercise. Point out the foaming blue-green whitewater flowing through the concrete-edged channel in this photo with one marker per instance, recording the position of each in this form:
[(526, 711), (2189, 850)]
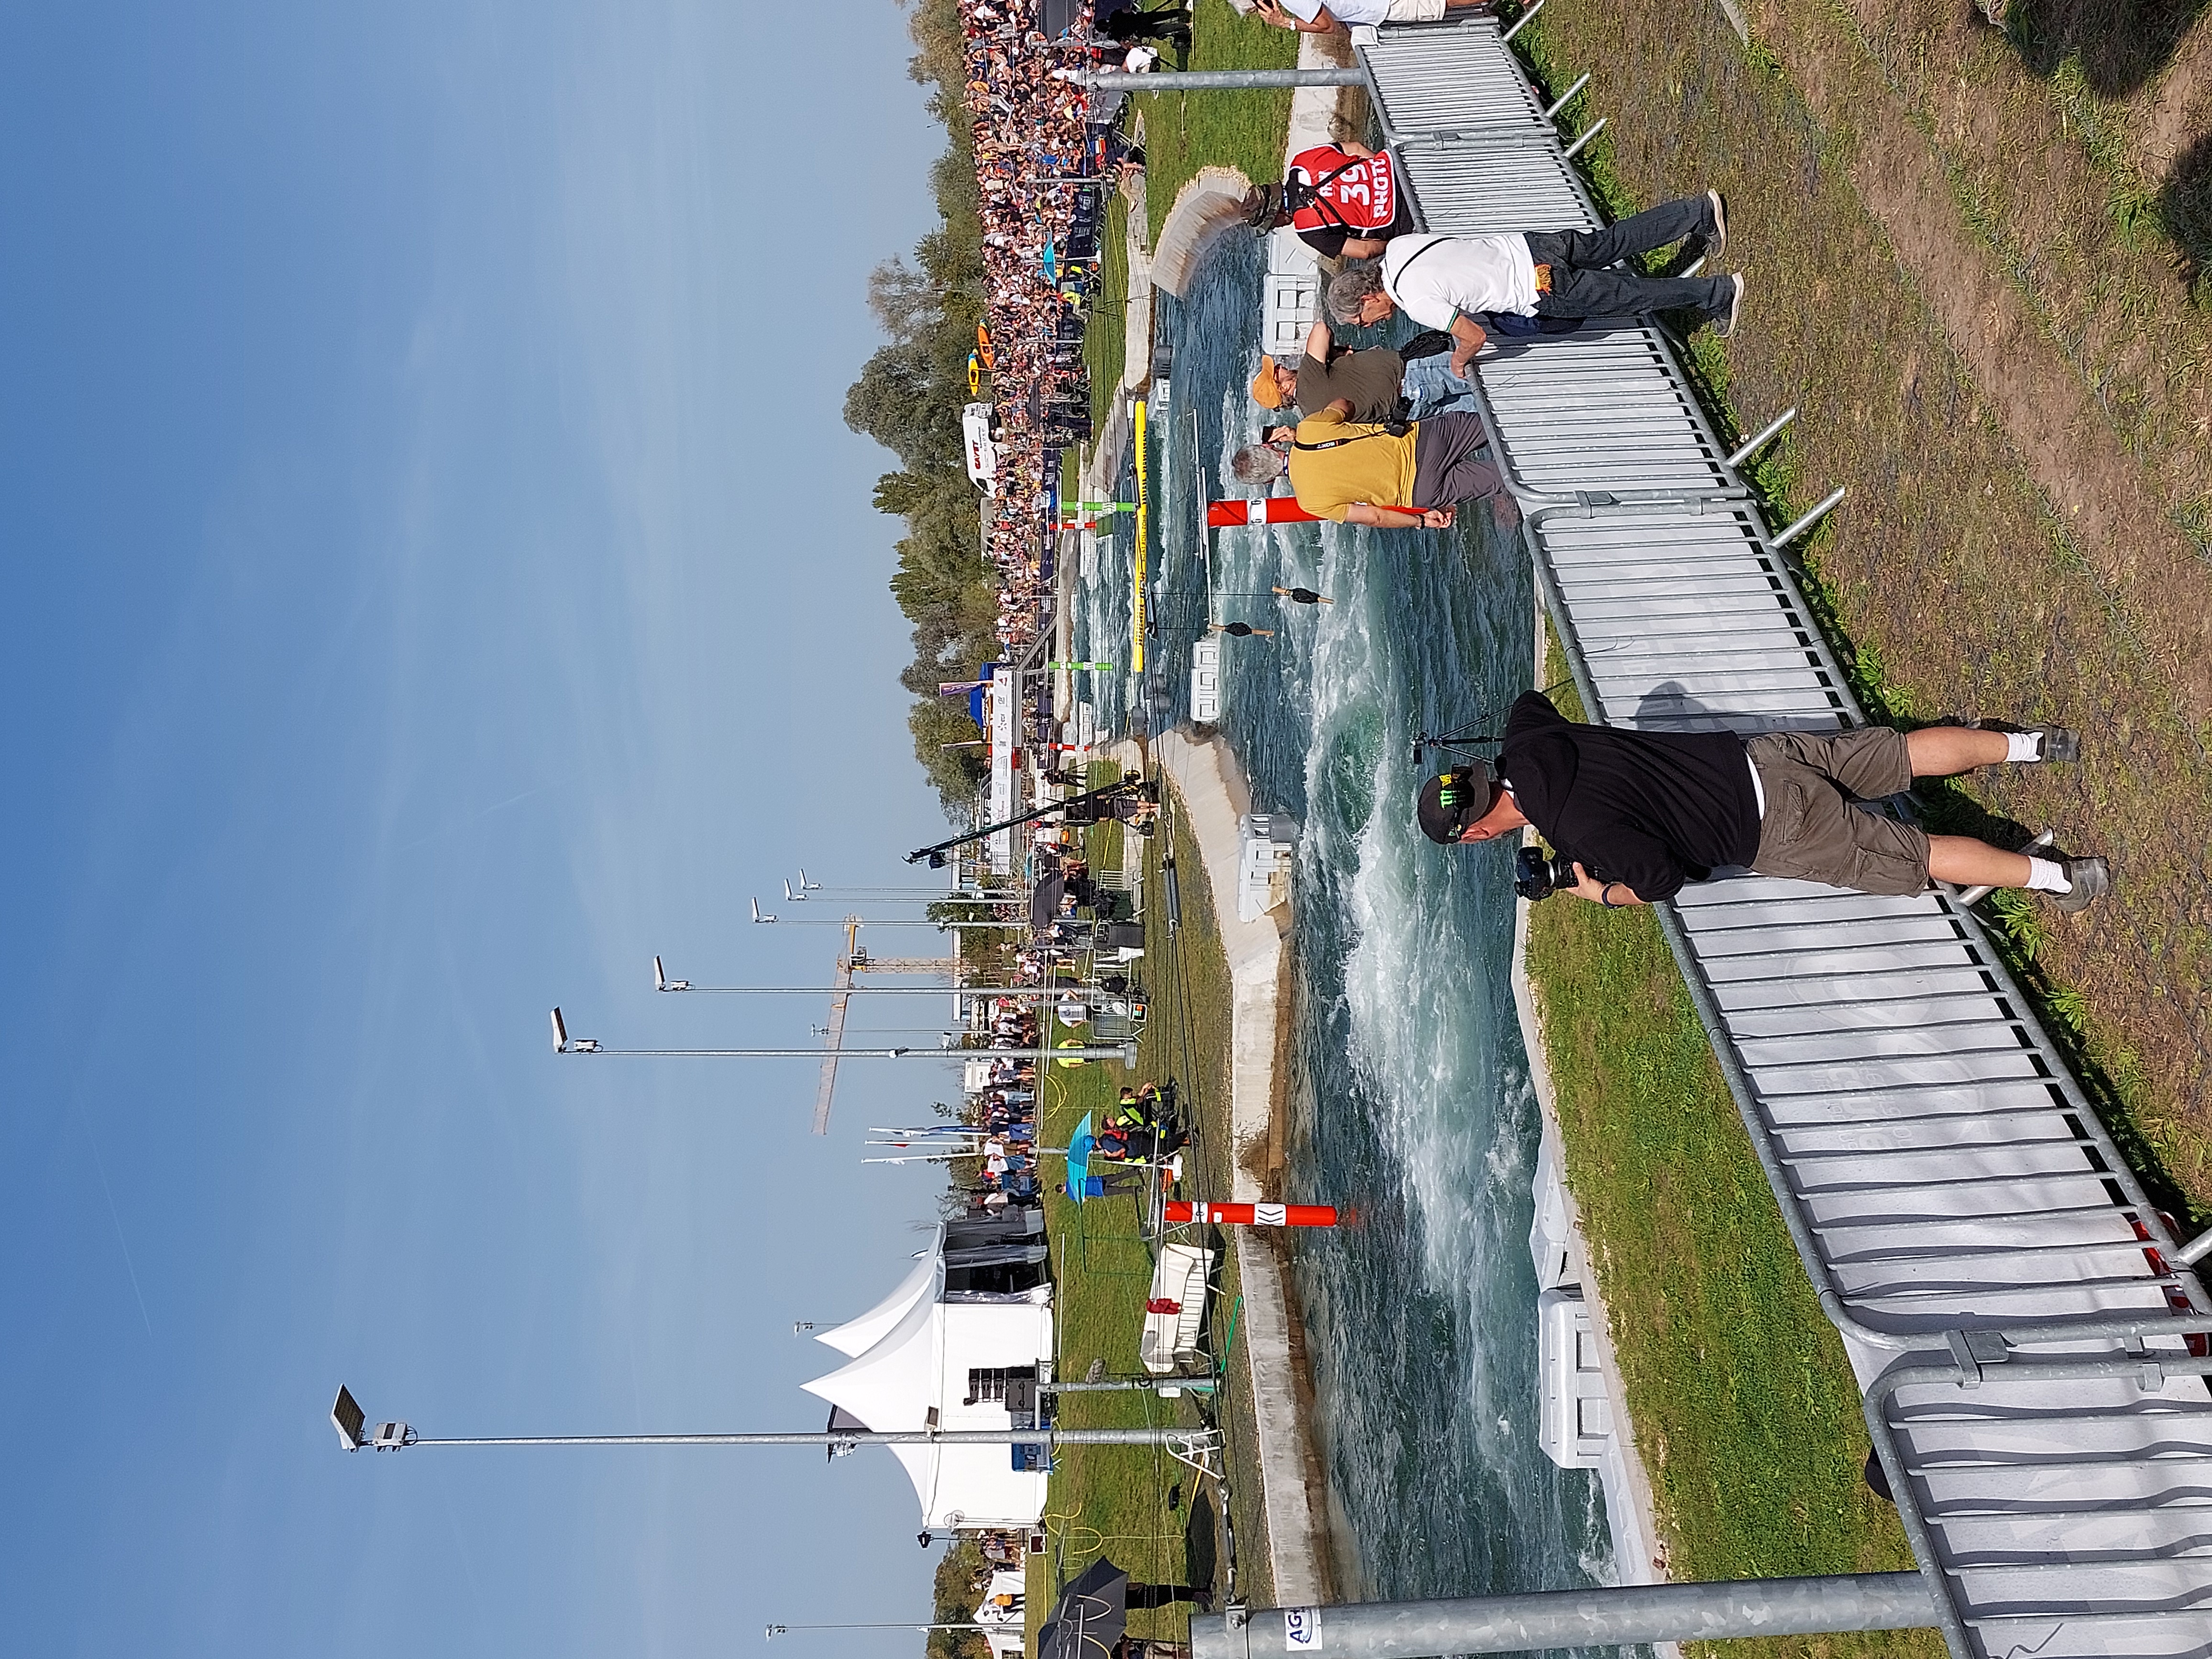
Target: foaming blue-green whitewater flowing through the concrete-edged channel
[(1410, 1083)]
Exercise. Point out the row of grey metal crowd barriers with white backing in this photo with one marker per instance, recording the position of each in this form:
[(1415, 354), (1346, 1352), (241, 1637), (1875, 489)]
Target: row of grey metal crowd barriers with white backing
[(2034, 1361)]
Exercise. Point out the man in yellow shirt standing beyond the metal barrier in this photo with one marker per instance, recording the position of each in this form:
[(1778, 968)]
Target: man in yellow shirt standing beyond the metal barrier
[(1395, 477)]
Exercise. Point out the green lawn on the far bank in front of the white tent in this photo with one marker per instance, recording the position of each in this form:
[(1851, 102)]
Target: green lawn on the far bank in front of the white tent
[(1114, 1501)]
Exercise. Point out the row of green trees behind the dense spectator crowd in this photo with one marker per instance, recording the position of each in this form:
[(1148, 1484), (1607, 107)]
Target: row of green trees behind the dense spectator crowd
[(908, 399)]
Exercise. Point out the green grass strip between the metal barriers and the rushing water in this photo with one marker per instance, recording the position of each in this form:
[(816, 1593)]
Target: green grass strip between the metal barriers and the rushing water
[(1746, 1410)]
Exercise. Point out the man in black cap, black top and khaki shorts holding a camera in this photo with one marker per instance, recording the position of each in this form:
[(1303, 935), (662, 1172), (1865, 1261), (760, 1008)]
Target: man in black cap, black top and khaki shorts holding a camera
[(1636, 815)]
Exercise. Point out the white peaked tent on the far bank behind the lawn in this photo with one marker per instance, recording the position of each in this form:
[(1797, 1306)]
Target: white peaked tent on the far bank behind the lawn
[(919, 1370)]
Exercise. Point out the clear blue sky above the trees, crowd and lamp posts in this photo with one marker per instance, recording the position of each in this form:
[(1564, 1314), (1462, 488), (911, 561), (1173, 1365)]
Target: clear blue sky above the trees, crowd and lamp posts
[(439, 578)]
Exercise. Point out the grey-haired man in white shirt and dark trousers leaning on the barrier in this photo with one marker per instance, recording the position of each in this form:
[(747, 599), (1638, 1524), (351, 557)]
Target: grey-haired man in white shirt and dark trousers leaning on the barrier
[(1450, 282)]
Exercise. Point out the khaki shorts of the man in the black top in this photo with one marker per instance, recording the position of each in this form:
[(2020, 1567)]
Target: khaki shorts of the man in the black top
[(1815, 828)]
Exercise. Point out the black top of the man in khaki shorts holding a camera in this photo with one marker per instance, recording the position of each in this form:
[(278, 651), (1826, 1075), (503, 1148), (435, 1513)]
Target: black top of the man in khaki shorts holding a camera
[(1645, 808)]
